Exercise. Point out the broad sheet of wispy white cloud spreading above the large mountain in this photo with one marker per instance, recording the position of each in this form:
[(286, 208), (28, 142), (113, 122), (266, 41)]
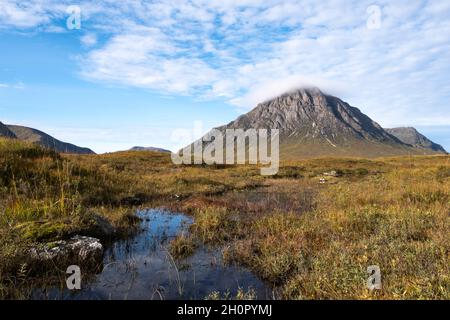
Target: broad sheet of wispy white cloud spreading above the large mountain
[(250, 50)]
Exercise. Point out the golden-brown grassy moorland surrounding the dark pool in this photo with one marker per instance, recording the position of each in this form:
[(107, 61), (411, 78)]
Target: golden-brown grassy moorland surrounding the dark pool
[(311, 240)]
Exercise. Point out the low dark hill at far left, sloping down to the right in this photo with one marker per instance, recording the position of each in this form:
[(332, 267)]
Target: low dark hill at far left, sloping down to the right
[(45, 140)]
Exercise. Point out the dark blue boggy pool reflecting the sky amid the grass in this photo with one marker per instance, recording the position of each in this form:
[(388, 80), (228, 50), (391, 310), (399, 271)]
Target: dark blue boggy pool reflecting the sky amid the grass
[(141, 268)]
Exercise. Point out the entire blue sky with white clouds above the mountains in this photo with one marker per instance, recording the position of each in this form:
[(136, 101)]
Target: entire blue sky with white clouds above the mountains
[(137, 71)]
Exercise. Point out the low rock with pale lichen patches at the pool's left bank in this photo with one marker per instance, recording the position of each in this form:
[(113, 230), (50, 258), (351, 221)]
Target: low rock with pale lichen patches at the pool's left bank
[(79, 249)]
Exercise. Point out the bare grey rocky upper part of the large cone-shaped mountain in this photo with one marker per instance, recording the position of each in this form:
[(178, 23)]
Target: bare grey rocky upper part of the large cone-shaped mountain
[(308, 112)]
